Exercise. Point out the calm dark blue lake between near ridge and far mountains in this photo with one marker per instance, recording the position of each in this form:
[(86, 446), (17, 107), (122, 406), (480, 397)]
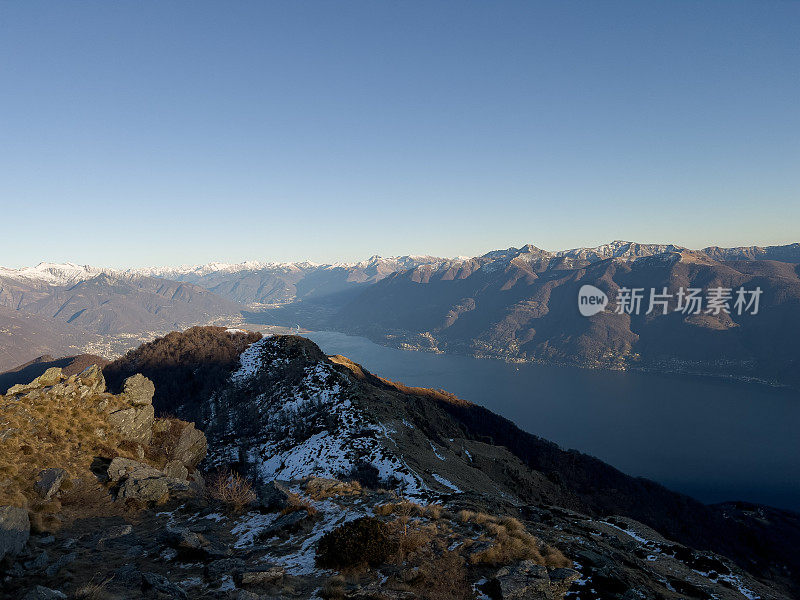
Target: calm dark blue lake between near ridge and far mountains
[(713, 439)]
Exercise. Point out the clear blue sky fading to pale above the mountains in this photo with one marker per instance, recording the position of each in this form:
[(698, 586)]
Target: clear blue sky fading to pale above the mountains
[(155, 133)]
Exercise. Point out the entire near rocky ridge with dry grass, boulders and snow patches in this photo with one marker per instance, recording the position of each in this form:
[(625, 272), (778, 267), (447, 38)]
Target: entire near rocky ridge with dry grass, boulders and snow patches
[(305, 476)]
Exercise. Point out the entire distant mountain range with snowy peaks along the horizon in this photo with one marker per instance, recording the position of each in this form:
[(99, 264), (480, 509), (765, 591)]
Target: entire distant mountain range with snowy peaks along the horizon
[(515, 304)]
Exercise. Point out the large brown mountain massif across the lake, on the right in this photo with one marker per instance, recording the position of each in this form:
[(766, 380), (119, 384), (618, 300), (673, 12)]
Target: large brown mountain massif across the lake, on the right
[(522, 304)]
